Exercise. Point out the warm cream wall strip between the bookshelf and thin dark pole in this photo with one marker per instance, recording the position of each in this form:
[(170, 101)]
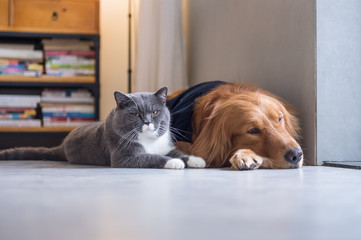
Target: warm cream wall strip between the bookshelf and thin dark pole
[(113, 52)]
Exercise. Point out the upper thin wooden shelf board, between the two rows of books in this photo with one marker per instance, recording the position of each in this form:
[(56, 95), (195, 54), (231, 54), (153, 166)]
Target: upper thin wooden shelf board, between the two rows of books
[(49, 79)]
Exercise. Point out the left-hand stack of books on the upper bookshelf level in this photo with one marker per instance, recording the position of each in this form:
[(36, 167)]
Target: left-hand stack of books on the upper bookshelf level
[(20, 60)]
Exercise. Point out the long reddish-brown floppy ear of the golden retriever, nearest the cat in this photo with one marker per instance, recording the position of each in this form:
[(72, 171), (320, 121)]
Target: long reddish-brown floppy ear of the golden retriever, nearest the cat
[(212, 142)]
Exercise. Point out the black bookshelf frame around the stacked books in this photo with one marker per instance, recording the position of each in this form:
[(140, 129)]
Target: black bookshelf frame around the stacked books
[(45, 136)]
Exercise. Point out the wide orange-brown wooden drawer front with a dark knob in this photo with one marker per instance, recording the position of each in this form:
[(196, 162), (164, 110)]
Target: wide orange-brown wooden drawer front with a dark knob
[(79, 16)]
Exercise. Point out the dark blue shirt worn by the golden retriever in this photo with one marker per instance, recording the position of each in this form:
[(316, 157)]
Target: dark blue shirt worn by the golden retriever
[(181, 109)]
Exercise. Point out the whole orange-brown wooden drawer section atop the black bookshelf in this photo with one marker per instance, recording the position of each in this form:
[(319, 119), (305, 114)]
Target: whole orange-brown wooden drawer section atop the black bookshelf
[(61, 16)]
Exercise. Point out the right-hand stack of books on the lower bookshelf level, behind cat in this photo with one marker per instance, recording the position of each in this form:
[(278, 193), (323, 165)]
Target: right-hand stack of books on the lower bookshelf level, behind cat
[(67, 107)]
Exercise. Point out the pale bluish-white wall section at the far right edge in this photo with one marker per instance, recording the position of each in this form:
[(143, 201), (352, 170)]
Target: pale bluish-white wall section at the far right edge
[(338, 80)]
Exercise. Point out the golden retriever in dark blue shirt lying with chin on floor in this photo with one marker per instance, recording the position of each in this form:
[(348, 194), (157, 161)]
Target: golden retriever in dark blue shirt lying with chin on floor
[(237, 125)]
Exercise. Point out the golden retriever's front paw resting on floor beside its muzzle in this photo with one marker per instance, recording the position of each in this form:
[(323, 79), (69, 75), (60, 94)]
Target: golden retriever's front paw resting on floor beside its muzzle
[(245, 159)]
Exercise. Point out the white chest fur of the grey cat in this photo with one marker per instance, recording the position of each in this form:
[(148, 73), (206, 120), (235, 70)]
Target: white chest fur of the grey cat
[(160, 145)]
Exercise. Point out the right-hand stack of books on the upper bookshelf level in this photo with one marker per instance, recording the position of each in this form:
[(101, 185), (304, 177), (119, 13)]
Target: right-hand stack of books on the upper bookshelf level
[(69, 57)]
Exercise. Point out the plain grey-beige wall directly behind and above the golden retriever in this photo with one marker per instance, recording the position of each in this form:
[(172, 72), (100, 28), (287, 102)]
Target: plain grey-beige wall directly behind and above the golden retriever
[(269, 43)]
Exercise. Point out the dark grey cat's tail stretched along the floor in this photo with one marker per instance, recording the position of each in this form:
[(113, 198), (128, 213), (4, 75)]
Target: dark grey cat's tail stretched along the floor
[(34, 153)]
